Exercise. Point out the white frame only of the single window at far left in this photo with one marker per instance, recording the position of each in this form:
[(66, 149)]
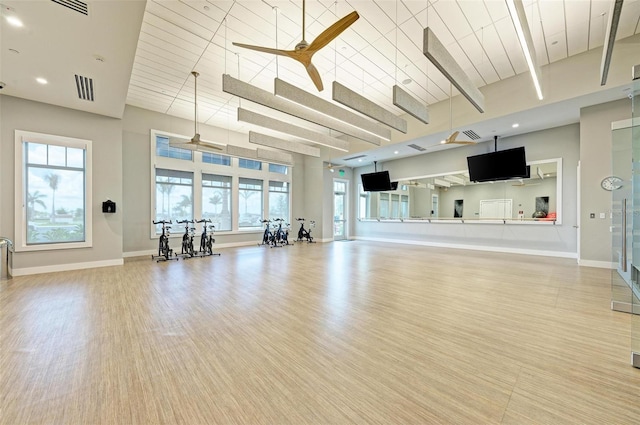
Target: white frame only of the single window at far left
[(20, 228)]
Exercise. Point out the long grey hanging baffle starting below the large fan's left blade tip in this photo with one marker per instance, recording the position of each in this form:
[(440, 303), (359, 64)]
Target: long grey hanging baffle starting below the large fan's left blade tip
[(247, 91)]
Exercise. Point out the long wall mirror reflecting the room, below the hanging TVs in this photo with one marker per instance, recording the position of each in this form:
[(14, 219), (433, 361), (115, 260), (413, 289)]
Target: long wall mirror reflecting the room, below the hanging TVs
[(536, 198)]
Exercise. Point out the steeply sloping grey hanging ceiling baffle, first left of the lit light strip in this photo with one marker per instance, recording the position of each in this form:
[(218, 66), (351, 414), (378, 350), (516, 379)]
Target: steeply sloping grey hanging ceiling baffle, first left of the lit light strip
[(435, 51)]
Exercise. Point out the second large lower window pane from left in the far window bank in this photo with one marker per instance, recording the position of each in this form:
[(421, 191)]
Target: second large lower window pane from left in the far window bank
[(216, 200)]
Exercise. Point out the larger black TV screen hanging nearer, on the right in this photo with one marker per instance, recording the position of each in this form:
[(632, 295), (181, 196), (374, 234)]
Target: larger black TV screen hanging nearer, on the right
[(501, 165)]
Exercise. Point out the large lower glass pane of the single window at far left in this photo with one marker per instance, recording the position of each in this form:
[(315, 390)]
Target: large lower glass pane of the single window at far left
[(55, 200)]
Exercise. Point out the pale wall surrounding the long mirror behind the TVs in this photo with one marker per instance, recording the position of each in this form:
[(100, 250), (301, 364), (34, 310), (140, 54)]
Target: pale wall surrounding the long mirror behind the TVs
[(561, 142)]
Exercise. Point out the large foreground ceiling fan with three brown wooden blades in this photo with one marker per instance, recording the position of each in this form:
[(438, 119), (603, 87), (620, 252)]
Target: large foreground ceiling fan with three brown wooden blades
[(304, 51)]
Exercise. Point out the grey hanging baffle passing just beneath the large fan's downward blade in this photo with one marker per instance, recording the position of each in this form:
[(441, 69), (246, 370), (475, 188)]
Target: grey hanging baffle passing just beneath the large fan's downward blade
[(353, 121)]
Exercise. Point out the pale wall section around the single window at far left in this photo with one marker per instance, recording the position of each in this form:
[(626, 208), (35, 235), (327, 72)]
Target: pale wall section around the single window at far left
[(106, 134)]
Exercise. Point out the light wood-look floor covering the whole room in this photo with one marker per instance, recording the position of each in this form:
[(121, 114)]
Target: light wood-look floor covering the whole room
[(336, 333)]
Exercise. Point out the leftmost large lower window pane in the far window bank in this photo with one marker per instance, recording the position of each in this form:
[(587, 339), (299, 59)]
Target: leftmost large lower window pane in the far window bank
[(174, 195)]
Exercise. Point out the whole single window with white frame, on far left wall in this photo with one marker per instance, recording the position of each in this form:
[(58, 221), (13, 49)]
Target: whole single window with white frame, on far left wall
[(53, 177)]
